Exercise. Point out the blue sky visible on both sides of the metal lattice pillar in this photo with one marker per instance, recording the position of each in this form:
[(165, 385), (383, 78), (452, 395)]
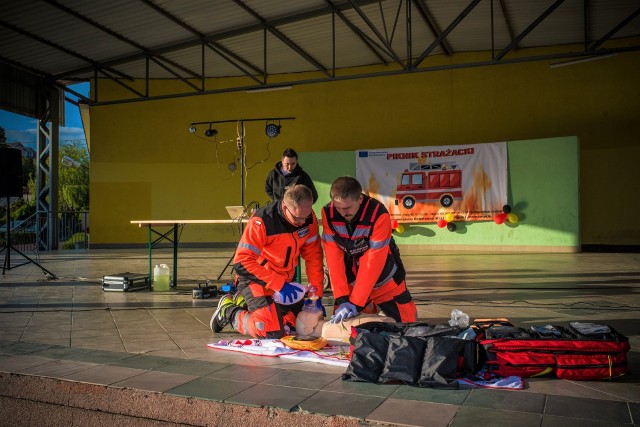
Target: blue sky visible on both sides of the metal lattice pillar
[(23, 129)]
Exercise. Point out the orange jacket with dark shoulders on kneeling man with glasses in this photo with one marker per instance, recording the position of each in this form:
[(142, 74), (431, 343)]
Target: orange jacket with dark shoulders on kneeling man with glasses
[(269, 248)]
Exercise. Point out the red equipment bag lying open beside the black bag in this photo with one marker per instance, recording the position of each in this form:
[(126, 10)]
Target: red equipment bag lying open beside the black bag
[(580, 351)]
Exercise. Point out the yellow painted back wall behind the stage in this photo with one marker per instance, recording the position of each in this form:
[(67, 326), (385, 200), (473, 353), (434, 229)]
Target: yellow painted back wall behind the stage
[(145, 165)]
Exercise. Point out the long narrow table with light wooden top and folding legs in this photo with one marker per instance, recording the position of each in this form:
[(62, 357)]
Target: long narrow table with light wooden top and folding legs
[(173, 235)]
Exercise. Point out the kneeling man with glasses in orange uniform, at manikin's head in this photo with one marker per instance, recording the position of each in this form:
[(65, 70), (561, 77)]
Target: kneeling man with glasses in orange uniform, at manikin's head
[(265, 264)]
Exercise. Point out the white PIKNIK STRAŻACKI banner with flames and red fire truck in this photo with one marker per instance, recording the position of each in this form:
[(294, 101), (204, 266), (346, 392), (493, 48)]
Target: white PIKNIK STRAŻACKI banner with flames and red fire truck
[(423, 184)]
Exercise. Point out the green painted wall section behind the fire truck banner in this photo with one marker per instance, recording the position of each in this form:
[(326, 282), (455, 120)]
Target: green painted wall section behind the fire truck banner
[(545, 198)]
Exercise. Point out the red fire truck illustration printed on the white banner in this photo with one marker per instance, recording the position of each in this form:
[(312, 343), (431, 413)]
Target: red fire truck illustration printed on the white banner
[(427, 183)]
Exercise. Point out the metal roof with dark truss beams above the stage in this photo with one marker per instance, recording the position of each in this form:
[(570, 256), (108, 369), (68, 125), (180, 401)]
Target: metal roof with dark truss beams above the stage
[(67, 41)]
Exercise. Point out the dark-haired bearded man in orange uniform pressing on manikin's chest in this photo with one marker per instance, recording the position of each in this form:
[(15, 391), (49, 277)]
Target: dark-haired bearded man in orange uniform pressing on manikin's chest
[(362, 257)]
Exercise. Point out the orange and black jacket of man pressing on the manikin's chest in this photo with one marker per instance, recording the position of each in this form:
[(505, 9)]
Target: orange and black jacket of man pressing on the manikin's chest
[(362, 253)]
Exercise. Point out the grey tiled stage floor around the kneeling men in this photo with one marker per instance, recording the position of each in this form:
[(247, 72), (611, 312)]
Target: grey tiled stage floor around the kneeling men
[(69, 329)]
